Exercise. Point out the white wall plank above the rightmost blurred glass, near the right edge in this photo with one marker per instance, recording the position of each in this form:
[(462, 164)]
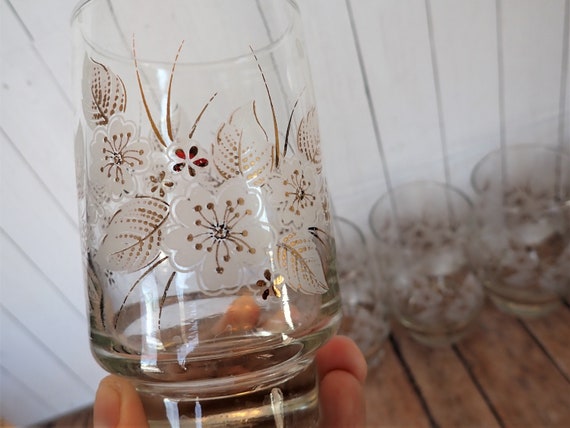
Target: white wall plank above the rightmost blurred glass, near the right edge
[(532, 44)]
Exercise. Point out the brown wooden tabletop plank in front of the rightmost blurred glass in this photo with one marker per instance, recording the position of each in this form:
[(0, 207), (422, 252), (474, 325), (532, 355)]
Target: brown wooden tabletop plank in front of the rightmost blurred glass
[(520, 381)]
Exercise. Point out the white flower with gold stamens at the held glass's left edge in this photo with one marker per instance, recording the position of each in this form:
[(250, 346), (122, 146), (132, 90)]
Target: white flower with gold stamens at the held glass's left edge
[(117, 154)]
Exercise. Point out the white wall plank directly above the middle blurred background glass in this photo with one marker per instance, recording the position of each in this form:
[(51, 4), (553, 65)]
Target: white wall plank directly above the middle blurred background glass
[(395, 44)]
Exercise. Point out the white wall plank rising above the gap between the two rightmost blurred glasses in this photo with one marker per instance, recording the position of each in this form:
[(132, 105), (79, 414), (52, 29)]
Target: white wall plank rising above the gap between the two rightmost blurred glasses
[(465, 47)]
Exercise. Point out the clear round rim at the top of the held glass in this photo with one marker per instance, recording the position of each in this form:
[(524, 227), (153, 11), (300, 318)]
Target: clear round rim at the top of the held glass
[(245, 57)]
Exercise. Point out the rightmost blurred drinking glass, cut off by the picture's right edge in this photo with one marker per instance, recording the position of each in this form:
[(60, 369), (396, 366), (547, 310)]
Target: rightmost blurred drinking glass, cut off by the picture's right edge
[(522, 247)]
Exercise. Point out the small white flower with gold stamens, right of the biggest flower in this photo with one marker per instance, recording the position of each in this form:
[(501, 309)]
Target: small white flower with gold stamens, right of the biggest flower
[(296, 193)]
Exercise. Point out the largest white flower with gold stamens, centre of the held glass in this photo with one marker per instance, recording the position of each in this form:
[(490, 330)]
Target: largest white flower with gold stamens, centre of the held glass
[(223, 232)]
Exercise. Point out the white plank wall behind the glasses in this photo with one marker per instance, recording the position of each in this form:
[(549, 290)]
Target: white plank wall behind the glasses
[(406, 89)]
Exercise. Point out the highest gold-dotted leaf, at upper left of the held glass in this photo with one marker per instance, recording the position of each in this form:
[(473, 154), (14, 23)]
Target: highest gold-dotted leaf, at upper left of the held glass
[(104, 93)]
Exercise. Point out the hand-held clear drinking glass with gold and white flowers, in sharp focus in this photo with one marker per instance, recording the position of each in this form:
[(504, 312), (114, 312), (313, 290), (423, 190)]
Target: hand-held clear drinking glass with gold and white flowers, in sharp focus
[(209, 252)]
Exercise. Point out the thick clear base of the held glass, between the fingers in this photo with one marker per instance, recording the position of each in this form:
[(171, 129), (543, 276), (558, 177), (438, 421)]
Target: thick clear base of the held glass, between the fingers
[(292, 403)]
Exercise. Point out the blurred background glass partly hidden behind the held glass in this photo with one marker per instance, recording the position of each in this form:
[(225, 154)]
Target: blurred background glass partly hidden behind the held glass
[(365, 312)]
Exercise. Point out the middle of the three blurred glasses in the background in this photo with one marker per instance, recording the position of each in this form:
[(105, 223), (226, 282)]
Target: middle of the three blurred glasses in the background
[(422, 229)]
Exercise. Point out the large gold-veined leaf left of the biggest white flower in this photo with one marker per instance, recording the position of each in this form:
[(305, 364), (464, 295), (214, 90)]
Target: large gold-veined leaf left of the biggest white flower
[(133, 236)]
